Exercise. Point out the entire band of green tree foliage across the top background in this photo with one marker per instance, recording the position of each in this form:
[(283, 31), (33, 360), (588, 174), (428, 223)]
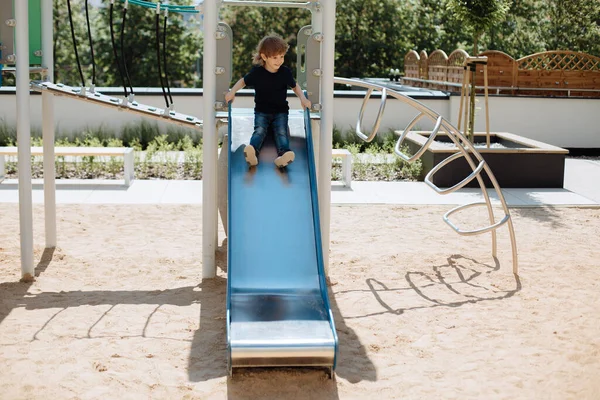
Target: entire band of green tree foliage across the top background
[(371, 35)]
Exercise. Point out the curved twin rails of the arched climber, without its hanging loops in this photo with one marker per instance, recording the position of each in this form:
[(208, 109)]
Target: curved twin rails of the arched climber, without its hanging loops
[(467, 150)]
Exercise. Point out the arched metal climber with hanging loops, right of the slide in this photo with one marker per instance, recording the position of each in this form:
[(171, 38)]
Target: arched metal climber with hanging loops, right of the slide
[(466, 150)]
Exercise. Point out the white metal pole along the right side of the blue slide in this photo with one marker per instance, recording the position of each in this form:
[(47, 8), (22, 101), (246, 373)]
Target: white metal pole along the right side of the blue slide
[(327, 62)]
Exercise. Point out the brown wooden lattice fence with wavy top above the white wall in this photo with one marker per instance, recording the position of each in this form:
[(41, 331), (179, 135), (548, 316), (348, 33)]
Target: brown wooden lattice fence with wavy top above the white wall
[(551, 73)]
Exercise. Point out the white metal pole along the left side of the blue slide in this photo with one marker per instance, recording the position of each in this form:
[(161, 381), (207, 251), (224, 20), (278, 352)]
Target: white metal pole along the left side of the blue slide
[(210, 145)]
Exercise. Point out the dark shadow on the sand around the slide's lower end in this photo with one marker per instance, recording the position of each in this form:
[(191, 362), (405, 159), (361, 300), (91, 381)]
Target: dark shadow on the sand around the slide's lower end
[(208, 358)]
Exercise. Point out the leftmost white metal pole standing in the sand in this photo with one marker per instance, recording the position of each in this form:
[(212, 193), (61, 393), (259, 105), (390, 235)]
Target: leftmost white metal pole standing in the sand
[(24, 139)]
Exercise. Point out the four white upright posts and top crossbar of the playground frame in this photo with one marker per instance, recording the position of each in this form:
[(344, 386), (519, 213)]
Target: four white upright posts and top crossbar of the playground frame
[(323, 12)]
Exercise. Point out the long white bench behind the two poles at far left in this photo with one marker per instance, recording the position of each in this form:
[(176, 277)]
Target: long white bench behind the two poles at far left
[(125, 152)]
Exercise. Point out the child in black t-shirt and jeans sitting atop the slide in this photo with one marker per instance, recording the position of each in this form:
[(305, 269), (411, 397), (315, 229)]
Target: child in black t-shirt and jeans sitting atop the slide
[(270, 81)]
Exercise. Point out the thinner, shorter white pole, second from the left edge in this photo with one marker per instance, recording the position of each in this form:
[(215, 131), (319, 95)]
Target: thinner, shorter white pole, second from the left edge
[(48, 127)]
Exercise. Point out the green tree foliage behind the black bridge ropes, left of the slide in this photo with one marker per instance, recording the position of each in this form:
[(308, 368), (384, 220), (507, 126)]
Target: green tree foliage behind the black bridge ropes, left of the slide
[(184, 45)]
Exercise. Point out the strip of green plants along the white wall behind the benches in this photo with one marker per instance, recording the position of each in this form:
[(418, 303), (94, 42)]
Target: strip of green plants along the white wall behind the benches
[(177, 154)]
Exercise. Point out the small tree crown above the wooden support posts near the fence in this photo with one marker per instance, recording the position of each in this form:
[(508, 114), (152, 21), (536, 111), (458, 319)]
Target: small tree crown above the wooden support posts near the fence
[(479, 16)]
